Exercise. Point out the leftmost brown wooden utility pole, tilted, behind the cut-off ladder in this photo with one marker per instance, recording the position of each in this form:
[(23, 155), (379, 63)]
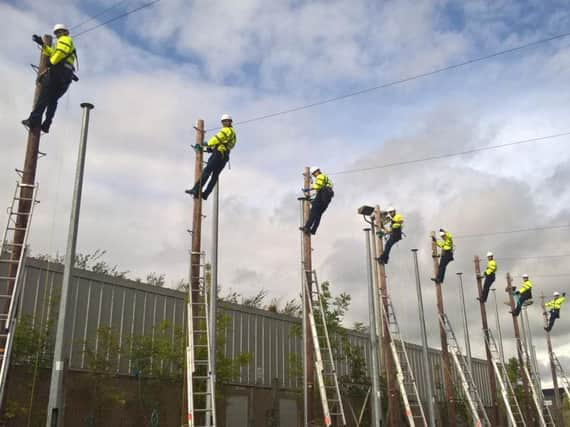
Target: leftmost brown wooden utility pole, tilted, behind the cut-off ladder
[(25, 199)]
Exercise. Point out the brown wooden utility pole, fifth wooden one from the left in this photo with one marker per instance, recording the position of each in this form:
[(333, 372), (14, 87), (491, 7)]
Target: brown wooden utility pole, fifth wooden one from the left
[(448, 381)]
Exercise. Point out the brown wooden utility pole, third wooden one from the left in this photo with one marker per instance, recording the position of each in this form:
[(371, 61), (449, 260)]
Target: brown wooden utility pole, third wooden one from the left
[(307, 269)]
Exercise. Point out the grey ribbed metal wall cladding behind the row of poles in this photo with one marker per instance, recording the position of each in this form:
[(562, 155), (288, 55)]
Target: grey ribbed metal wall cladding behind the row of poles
[(133, 308)]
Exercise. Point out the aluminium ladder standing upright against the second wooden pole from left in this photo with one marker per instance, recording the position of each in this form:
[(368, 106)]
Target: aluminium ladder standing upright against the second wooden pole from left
[(200, 381)]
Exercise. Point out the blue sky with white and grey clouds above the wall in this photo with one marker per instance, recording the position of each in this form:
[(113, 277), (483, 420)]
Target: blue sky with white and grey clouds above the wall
[(152, 74)]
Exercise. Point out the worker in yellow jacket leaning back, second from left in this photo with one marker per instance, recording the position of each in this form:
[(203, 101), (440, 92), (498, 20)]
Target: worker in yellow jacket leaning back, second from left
[(220, 146)]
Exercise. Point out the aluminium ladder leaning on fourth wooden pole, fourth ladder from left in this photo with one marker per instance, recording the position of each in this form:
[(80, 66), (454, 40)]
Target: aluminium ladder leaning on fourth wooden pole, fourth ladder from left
[(404, 374)]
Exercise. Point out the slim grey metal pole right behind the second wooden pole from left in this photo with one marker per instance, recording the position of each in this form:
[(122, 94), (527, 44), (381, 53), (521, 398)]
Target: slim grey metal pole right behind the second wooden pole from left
[(214, 282)]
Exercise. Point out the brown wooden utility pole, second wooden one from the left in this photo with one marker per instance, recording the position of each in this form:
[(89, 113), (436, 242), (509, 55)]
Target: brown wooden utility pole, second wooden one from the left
[(196, 250)]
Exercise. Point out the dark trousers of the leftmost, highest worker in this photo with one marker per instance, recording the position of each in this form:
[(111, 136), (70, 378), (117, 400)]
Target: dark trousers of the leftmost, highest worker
[(54, 84)]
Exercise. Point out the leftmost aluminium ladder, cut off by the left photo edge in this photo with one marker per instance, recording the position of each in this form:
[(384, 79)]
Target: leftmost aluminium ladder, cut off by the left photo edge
[(11, 272)]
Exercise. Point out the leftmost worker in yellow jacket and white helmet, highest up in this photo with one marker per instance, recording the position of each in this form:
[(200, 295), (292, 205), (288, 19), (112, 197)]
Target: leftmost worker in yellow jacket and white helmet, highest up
[(56, 80)]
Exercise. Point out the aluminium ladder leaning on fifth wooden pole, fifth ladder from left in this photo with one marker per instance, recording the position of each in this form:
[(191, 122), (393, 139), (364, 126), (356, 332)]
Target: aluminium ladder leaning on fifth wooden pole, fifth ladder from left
[(467, 383)]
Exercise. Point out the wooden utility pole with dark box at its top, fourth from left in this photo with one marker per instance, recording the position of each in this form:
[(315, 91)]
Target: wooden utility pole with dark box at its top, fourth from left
[(388, 366)]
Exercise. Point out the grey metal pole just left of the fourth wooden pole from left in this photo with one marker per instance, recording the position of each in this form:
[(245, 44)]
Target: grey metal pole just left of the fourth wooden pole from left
[(376, 396)]
